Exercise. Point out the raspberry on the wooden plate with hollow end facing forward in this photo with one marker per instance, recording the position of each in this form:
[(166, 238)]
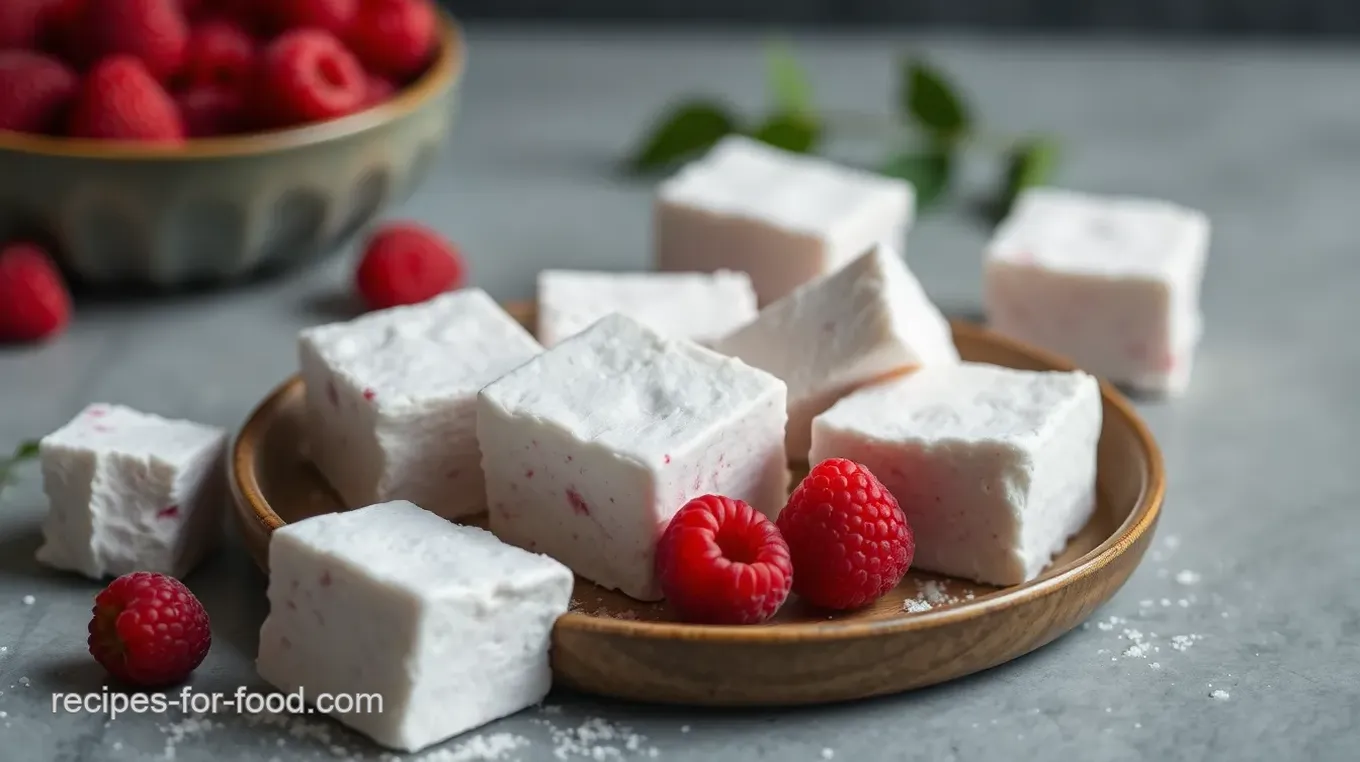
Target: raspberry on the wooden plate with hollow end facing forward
[(723, 563)]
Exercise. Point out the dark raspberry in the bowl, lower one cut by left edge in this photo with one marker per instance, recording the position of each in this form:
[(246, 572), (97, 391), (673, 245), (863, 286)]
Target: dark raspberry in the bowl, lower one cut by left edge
[(35, 92)]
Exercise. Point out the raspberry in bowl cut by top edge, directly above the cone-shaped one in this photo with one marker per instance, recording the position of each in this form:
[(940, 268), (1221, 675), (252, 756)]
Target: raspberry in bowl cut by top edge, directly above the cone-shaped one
[(153, 31)]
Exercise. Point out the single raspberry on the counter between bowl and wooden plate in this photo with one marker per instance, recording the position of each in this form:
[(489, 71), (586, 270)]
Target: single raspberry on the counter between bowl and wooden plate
[(407, 263)]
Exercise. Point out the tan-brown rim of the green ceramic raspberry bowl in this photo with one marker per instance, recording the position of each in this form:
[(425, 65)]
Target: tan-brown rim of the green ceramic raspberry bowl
[(444, 71)]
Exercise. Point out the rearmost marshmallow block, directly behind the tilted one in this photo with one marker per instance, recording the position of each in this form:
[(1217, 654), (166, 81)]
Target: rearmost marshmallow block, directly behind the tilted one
[(783, 218)]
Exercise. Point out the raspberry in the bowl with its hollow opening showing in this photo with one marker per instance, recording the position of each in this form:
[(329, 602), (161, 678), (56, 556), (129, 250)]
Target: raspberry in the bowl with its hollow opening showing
[(309, 76)]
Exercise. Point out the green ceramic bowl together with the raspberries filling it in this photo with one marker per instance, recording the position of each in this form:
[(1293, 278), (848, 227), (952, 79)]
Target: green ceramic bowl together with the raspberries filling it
[(190, 142)]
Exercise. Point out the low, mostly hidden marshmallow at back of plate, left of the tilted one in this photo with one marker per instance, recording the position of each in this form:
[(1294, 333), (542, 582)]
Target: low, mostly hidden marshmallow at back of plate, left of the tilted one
[(682, 305)]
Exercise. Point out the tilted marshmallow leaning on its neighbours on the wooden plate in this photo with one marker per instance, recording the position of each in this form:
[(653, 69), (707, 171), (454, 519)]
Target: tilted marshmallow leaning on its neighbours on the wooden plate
[(867, 322)]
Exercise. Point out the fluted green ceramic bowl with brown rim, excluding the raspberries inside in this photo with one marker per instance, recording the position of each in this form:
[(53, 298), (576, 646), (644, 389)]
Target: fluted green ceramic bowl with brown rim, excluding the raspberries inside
[(221, 210)]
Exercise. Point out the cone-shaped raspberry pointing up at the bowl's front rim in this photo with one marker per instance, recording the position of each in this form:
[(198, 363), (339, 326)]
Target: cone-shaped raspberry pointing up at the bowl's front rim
[(122, 101)]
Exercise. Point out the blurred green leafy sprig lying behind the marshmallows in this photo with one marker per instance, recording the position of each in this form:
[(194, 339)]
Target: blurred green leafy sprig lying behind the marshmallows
[(934, 127)]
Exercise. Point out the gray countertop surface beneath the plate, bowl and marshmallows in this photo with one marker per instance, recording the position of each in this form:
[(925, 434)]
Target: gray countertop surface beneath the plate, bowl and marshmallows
[(1251, 589)]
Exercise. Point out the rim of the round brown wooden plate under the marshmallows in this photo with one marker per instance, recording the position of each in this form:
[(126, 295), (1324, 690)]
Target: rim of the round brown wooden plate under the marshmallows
[(1140, 522)]
